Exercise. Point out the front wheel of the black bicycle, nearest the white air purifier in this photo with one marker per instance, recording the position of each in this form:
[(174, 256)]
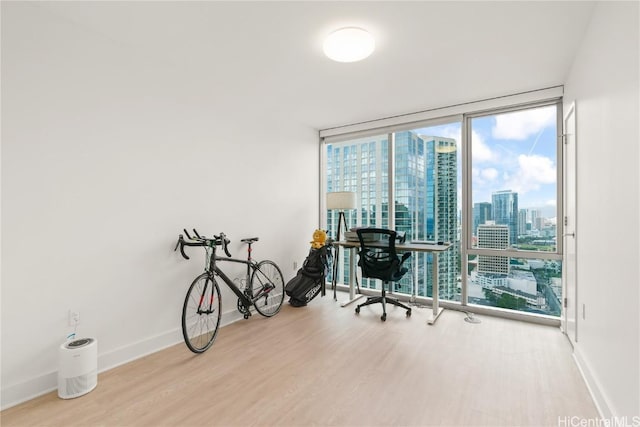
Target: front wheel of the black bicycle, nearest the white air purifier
[(201, 313)]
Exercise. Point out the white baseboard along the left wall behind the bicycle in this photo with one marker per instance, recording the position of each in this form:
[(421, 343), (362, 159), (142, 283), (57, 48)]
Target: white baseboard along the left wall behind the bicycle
[(37, 386)]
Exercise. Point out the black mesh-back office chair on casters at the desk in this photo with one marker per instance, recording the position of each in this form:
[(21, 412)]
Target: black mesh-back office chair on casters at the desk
[(378, 260)]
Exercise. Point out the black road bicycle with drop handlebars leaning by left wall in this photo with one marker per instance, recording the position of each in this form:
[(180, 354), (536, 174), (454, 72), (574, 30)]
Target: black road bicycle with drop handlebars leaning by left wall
[(201, 312)]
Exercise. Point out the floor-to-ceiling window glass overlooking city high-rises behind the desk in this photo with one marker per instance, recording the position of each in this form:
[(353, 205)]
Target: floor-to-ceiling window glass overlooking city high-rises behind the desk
[(485, 182)]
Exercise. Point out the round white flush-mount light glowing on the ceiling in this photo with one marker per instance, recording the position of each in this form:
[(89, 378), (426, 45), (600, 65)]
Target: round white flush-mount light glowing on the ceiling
[(349, 44)]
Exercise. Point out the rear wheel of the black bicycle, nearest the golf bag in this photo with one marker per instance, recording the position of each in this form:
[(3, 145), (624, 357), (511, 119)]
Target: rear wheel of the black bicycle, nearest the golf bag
[(267, 288)]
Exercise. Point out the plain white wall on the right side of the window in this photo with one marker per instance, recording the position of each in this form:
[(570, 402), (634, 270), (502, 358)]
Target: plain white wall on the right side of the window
[(604, 84)]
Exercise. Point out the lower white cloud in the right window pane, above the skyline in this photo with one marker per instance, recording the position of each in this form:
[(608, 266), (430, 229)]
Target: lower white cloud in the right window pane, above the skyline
[(533, 172)]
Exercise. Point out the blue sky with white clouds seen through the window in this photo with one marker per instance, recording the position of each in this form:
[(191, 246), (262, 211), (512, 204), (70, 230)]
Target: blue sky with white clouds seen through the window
[(512, 151)]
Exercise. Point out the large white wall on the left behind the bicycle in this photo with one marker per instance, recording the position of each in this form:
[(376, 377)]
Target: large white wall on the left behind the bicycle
[(107, 153)]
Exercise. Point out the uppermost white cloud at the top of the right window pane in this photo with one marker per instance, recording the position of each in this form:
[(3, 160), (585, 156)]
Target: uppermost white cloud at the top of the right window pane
[(520, 125)]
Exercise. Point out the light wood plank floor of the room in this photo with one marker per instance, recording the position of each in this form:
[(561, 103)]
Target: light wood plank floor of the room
[(324, 365)]
